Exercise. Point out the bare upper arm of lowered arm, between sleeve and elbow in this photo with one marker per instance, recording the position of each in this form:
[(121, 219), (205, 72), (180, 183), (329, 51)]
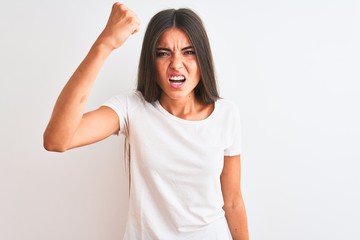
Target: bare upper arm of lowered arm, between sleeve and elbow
[(230, 180)]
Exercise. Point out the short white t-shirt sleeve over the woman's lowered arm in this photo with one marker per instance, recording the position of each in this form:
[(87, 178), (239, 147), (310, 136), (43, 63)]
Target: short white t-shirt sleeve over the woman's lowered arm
[(234, 123)]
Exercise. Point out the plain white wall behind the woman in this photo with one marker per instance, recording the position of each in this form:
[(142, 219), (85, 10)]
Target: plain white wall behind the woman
[(291, 66)]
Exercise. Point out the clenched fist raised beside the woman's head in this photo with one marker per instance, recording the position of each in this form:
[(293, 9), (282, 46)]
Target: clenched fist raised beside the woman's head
[(121, 24)]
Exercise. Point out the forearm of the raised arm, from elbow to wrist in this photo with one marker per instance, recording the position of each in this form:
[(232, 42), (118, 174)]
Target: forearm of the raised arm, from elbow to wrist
[(69, 108)]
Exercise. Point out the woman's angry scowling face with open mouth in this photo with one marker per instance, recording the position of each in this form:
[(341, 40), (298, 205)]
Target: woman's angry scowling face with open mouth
[(176, 65)]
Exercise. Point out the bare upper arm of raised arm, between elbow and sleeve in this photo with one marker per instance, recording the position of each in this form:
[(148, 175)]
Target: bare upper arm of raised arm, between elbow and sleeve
[(95, 126)]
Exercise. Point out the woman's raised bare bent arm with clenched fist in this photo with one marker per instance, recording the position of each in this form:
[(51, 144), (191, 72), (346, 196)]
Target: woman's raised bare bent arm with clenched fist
[(69, 127)]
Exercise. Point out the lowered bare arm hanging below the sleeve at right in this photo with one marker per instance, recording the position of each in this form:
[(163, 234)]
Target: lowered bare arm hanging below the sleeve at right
[(234, 206)]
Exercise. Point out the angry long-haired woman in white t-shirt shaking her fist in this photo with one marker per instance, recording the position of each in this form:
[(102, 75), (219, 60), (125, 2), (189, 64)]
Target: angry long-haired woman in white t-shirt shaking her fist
[(183, 139)]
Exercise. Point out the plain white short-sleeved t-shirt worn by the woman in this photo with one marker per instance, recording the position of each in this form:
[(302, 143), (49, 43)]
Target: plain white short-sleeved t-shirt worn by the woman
[(175, 167)]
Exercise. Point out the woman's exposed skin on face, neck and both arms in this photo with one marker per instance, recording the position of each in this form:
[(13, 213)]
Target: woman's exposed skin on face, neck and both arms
[(70, 127)]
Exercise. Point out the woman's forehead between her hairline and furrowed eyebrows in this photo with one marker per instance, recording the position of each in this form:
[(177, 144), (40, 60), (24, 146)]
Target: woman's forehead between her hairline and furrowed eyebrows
[(174, 37)]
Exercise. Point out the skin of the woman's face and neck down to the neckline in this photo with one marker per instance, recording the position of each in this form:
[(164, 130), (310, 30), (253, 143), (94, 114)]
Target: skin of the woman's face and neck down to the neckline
[(176, 57)]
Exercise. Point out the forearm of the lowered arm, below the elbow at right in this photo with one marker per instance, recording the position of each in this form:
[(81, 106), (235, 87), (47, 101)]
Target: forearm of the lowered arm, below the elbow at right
[(237, 221)]
